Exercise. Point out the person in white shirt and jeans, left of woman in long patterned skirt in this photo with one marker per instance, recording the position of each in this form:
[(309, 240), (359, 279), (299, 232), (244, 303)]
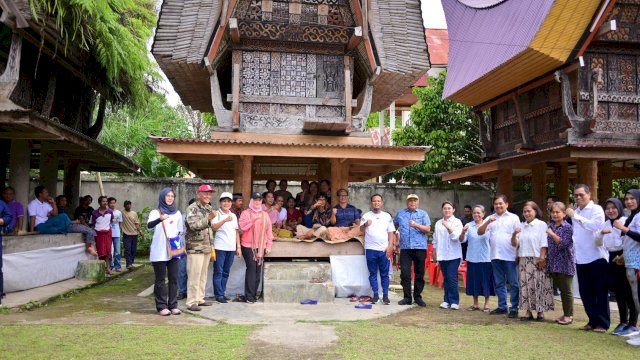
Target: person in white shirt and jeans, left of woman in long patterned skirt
[(501, 225)]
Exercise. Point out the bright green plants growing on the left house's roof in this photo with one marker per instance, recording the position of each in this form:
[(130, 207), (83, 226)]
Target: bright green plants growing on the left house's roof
[(115, 33)]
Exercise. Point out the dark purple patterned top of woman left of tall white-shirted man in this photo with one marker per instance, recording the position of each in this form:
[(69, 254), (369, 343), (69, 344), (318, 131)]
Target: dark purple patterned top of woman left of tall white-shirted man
[(561, 258)]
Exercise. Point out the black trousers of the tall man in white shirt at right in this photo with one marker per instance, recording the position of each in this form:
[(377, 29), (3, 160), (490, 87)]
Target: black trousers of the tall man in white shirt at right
[(594, 292)]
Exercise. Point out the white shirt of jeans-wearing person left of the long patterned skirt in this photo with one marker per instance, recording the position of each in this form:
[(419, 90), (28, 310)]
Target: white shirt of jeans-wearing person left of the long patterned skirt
[(500, 239)]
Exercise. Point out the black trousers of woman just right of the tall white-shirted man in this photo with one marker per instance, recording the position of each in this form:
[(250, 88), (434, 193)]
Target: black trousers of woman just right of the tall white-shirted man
[(619, 285)]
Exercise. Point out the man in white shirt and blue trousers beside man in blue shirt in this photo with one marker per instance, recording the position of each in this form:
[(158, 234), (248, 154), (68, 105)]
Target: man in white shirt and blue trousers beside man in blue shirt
[(379, 230)]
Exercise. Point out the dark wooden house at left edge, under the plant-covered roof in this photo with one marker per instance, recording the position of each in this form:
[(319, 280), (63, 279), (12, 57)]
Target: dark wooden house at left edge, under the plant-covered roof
[(47, 100)]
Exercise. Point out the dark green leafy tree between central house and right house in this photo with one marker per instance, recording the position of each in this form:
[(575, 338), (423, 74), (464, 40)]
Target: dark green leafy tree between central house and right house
[(449, 127)]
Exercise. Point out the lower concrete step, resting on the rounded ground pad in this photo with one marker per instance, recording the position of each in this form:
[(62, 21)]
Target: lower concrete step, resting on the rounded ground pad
[(294, 291)]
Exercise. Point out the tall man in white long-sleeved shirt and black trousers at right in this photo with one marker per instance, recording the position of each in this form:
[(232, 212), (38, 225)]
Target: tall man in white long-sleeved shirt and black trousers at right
[(591, 259)]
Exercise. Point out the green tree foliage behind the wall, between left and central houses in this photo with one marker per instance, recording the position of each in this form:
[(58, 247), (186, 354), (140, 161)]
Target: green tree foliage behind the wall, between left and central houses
[(127, 130)]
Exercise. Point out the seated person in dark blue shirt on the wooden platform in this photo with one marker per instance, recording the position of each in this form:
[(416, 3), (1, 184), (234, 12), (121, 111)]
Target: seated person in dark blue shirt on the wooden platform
[(345, 219)]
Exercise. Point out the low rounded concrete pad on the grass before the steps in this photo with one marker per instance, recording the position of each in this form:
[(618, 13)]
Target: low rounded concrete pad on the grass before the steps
[(268, 313)]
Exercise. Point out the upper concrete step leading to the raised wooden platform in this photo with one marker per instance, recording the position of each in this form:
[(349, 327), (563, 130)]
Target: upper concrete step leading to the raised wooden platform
[(321, 271)]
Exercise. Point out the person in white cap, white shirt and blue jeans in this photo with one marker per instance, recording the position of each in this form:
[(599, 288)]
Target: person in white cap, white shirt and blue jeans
[(226, 245)]
